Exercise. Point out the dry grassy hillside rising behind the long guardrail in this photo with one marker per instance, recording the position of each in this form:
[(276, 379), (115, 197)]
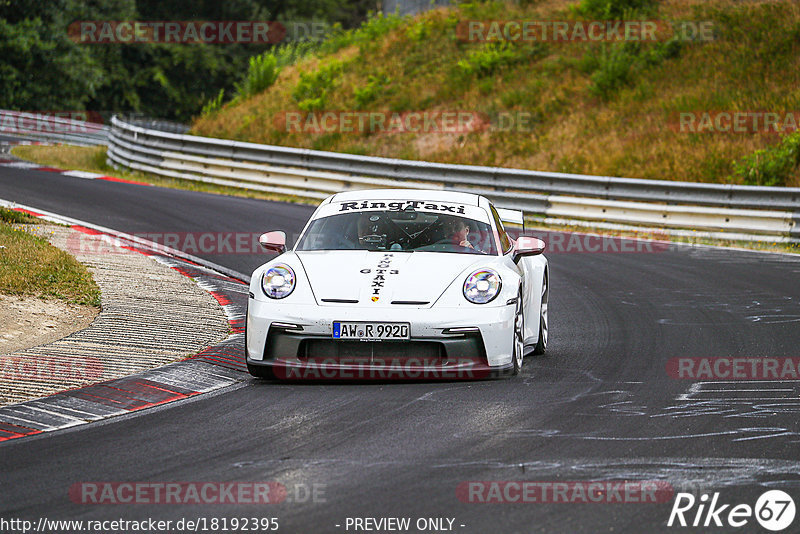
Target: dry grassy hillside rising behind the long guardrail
[(607, 108)]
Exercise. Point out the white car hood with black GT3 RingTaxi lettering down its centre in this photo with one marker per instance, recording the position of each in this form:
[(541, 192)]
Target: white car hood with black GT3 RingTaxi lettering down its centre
[(380, 279)]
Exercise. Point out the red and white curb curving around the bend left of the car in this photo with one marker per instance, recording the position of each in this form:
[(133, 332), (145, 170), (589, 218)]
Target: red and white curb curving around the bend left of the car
[(211, 369)]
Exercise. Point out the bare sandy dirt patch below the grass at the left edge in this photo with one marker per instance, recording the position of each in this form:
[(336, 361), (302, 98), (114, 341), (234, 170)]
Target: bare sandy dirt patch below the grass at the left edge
[(29, 321)]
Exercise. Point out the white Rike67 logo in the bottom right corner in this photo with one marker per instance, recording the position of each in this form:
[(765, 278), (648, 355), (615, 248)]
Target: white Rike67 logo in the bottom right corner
[(774, 510)]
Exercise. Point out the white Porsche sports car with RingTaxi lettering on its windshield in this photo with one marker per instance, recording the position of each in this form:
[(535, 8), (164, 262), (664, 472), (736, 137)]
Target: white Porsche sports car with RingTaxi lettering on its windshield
[(398, 284)]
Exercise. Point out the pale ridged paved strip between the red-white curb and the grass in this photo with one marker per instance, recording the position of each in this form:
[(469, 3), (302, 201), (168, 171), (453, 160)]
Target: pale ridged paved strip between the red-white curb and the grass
[(151, 315)]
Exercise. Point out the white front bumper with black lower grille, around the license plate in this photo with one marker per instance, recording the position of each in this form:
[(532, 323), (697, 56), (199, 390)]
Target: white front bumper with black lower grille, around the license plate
[(298, 343)]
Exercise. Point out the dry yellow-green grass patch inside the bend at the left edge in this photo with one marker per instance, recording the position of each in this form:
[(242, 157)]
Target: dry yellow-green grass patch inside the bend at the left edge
[(30, 266)]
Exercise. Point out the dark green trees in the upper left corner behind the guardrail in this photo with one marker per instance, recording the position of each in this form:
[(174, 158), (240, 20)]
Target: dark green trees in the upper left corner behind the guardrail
[(42, 69)]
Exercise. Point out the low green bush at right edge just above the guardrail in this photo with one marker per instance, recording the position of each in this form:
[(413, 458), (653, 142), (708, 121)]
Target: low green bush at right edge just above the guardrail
[(772, 166)]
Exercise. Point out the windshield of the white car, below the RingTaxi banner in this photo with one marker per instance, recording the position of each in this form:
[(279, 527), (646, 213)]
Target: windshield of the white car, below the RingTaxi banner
[(399, 230)]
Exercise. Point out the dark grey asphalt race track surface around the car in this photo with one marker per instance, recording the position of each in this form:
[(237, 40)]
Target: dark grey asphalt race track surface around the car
[(600, 406)]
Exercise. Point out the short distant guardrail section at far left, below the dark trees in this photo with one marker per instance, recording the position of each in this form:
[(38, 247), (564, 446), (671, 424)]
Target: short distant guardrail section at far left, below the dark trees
[(52, 128)]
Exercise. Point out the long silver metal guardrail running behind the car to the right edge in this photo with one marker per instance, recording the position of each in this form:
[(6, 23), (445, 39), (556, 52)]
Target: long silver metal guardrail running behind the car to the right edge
[(760, 213)]
